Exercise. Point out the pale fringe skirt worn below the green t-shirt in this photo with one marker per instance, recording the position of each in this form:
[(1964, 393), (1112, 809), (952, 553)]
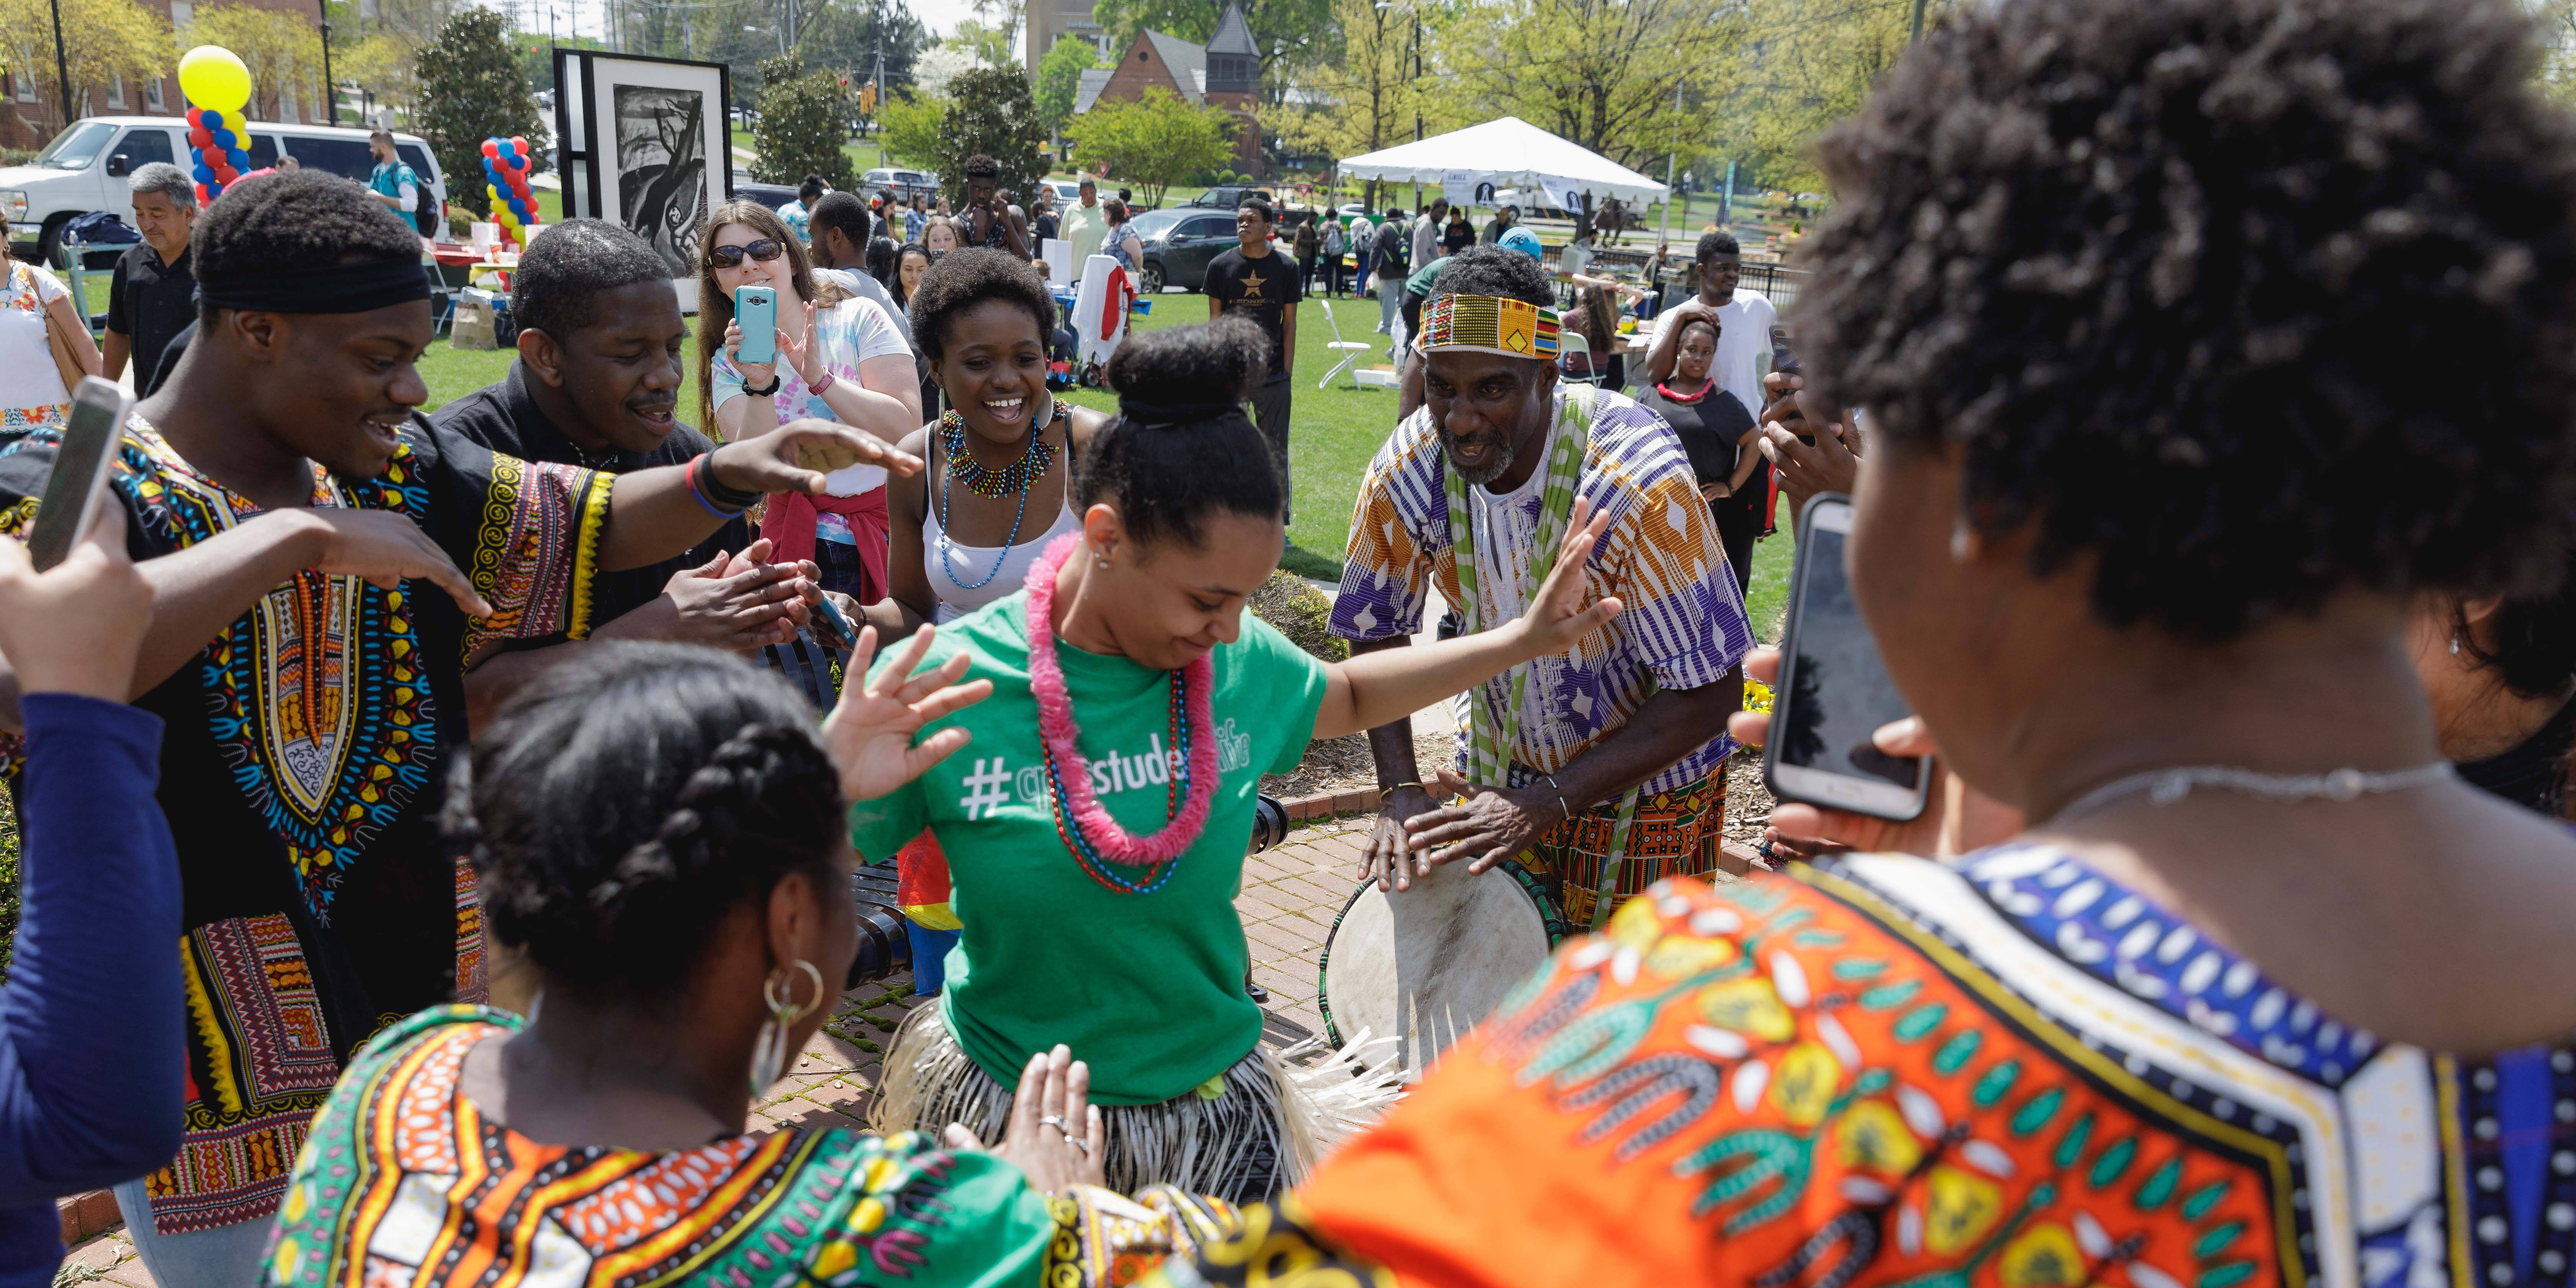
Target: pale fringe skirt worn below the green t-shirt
[(1258, 1137)]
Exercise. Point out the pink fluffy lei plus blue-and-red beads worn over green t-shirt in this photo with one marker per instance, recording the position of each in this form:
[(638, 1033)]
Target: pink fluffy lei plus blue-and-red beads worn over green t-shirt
[(1088, 831)]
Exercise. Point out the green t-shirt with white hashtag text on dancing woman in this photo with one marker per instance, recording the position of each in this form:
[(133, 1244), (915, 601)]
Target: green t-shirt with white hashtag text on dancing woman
[(1148, 988)]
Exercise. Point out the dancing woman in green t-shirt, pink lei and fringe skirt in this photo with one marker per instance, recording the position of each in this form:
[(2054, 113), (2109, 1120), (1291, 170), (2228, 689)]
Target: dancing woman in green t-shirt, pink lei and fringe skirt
[(1096, 826)]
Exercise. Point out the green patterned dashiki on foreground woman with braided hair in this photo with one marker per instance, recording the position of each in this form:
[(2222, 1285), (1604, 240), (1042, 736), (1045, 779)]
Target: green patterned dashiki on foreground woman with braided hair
[(406, 1181)]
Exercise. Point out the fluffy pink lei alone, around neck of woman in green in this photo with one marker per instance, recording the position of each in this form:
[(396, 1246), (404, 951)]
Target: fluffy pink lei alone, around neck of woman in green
[(1065, 735)]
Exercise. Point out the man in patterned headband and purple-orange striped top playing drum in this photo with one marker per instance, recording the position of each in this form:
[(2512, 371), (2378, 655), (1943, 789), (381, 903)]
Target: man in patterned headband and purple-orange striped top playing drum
[(1614, 748)]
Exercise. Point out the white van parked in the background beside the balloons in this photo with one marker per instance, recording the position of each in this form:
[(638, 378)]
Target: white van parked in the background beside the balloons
[(86, 169)]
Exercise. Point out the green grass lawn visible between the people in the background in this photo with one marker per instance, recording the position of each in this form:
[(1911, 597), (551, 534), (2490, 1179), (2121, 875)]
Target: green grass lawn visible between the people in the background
[(1333, 434)]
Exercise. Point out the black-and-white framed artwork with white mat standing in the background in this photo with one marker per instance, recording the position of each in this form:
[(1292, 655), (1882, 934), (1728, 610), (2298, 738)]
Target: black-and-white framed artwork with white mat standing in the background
[(645, 146)]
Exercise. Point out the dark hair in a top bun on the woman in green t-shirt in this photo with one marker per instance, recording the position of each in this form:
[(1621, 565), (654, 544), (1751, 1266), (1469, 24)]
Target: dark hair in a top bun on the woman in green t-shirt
[(1184, 447)]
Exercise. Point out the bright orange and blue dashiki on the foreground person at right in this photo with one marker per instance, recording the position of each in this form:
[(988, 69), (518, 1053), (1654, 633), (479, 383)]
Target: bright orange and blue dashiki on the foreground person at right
[(1889, 1073)]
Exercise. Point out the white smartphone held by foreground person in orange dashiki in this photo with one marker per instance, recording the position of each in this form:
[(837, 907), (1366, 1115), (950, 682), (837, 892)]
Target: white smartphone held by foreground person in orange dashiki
[(1835, 689)]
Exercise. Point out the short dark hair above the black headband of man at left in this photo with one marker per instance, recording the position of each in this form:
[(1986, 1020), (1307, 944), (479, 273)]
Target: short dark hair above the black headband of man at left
[(295, 220)]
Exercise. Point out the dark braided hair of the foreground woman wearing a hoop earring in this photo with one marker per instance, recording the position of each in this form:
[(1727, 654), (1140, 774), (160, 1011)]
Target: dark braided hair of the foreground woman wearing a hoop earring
[(630, 800)]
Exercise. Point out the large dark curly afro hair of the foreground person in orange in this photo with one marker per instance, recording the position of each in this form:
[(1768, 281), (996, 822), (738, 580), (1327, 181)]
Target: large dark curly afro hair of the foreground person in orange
[(2175, 279)]
